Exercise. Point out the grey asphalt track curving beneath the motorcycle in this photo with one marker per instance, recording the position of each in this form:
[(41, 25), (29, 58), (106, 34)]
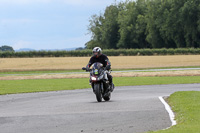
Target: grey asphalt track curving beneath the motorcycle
[(132, 109)]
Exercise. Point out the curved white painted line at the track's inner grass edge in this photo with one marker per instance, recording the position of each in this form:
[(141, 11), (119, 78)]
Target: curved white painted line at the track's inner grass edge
[(168, 108)]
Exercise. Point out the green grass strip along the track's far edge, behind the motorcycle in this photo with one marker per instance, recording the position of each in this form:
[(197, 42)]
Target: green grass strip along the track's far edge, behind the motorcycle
[(41, 85)]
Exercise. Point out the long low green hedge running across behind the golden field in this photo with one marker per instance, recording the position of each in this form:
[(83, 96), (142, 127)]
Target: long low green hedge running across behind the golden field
[(110, 52)]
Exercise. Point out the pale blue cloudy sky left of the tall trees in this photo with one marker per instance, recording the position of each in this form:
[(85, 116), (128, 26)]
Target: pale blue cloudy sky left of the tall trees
[(47, 24)]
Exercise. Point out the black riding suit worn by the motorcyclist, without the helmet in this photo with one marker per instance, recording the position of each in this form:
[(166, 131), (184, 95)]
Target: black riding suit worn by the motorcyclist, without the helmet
[(101, 59)]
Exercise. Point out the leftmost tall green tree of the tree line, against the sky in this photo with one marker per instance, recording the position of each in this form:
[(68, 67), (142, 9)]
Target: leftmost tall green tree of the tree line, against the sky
[(104, 28)]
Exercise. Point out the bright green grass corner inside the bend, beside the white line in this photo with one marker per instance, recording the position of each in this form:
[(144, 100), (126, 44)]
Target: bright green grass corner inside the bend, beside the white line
[(186, 105)]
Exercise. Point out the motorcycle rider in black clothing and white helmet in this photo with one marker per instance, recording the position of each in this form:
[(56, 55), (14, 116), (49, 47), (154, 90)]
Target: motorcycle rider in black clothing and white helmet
[(101, 58)]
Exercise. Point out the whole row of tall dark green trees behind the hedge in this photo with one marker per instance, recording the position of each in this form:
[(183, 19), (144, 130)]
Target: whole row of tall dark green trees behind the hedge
[(147, 24)]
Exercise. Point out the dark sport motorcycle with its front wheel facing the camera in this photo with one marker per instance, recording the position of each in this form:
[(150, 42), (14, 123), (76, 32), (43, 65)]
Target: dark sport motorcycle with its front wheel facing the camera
[(99, 82)]
